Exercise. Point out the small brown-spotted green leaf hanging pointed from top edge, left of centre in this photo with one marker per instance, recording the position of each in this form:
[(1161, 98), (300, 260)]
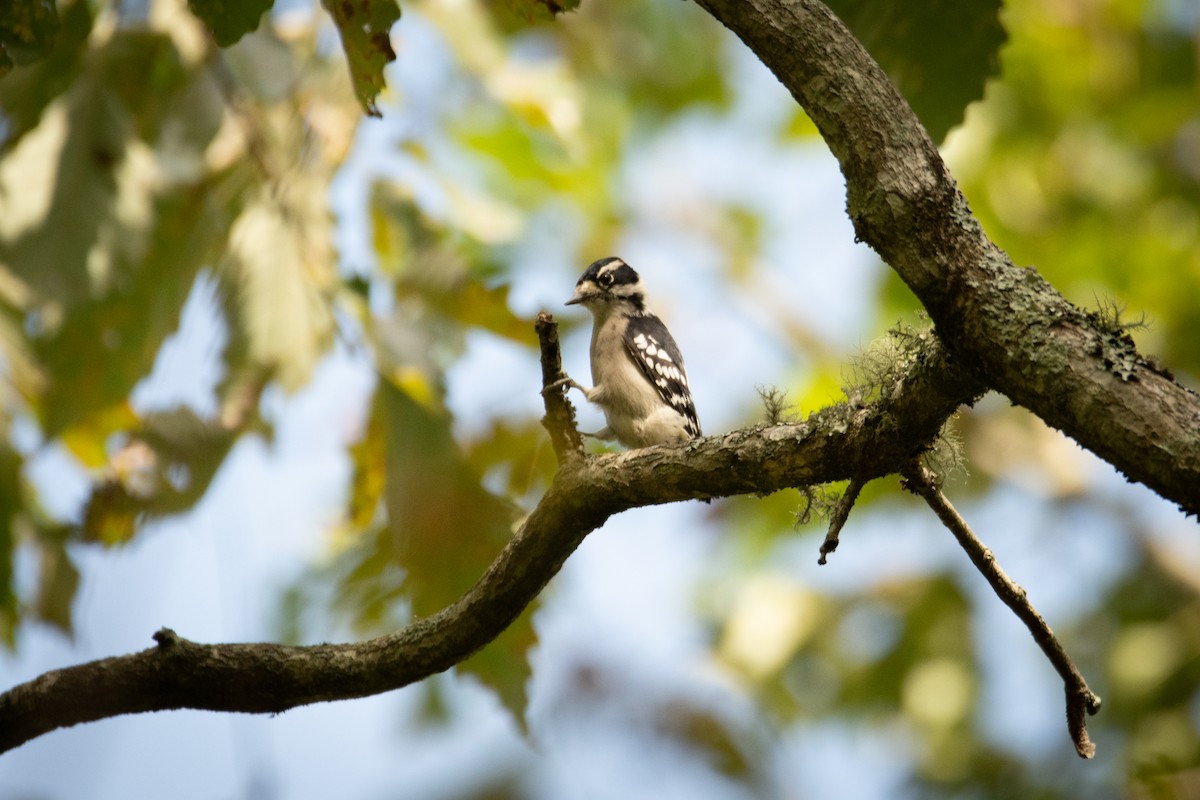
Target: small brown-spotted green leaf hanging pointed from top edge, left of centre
[(364, 27)]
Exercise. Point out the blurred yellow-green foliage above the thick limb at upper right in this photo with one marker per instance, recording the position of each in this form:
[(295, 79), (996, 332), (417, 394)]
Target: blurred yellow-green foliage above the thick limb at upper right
[(1084, 161)]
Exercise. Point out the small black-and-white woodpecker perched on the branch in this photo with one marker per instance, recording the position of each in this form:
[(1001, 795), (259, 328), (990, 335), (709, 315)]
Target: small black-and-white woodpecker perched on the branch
[(638, 372)]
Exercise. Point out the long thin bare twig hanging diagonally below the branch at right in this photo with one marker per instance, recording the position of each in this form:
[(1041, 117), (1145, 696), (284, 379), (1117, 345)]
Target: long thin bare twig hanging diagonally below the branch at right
[(1082, 701)]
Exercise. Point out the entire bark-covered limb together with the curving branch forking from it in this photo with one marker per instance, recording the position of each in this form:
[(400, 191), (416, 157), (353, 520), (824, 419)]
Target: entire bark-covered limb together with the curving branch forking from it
[(1001, 328)]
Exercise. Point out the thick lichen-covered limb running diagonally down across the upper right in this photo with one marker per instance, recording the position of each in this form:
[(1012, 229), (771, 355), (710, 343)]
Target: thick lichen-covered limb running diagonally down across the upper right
[(1007, 326)]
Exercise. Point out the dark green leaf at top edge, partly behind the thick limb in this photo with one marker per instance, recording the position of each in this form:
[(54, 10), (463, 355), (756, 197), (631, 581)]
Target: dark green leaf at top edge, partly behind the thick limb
[(939, 53)]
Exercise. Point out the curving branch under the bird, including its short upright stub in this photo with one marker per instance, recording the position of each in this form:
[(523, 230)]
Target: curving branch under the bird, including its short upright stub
[(833, 444)]
